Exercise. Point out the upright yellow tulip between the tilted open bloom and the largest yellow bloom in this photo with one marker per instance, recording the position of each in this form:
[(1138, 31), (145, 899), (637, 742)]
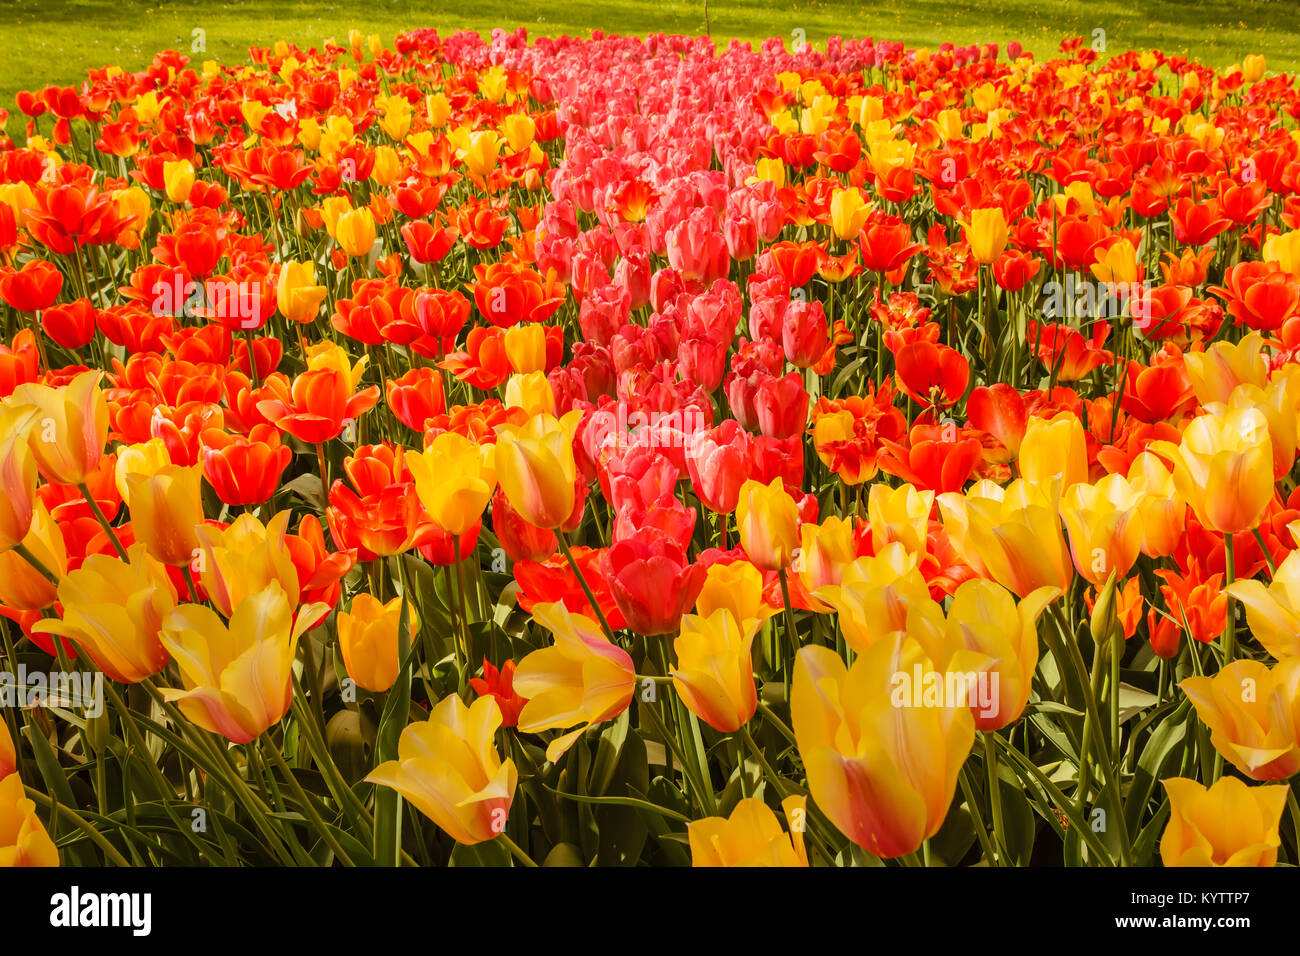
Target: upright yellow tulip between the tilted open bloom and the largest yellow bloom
[(714, 676)]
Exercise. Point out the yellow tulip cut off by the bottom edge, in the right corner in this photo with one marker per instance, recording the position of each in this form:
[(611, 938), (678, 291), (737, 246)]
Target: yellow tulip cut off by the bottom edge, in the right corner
[(1229, 824)]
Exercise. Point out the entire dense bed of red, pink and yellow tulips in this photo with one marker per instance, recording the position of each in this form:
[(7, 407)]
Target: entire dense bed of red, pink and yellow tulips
[(630, 451)]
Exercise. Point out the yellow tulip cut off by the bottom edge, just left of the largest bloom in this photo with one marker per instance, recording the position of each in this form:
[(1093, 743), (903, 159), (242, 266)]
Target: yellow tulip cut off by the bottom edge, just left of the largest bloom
[(751, 837)]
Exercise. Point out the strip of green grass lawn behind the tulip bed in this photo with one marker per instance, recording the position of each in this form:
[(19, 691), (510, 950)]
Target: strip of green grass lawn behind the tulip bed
[(45, 42)]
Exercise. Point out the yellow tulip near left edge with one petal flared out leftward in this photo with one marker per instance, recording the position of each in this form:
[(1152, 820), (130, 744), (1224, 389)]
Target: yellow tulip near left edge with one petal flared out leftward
[(114, 611)]
